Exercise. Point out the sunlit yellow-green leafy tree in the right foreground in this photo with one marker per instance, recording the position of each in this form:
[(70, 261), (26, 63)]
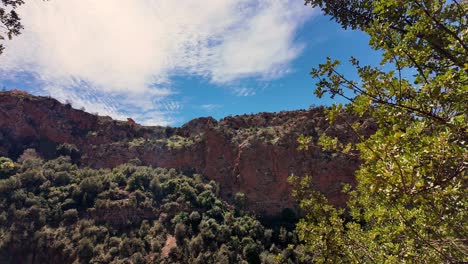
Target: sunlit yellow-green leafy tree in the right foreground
[(409, 203)]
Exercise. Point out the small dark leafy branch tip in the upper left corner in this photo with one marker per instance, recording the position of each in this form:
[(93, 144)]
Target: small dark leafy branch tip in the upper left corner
[(9, 20)]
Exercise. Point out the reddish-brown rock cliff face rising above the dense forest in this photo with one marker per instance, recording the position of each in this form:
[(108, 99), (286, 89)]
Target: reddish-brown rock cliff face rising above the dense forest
[(253, 154)]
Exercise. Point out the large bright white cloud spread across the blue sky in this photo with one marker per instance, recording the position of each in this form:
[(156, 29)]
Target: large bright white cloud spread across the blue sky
[(118, 58)]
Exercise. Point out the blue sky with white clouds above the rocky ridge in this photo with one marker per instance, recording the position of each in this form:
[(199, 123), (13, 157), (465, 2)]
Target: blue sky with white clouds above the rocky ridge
[(165, 62)]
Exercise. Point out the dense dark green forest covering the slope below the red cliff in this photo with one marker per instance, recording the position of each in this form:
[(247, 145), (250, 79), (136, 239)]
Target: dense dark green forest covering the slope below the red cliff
[(54, 212)]
